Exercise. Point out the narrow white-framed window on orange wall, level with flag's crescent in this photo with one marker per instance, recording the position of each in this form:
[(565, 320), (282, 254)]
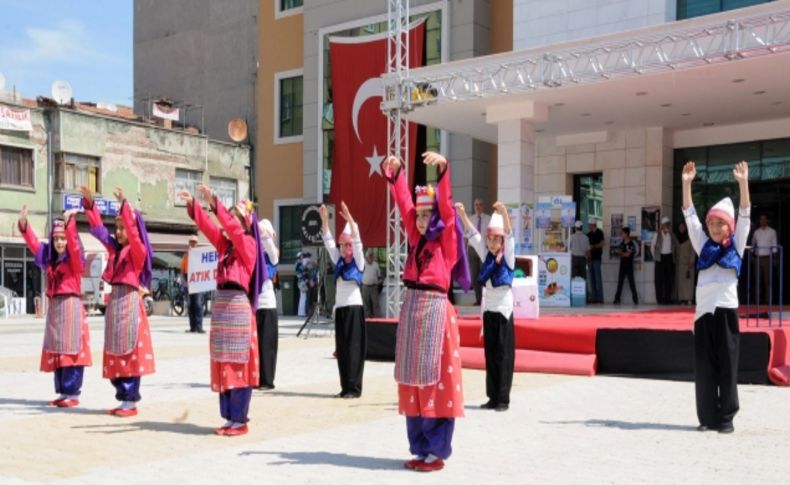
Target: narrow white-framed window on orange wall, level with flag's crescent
[(288, 106)]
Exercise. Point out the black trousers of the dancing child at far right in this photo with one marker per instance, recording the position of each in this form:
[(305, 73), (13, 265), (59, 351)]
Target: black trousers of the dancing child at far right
[(716, 348)]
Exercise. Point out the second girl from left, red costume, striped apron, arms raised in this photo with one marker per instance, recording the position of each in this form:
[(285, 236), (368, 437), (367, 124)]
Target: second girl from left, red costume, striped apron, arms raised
[(128, 352)]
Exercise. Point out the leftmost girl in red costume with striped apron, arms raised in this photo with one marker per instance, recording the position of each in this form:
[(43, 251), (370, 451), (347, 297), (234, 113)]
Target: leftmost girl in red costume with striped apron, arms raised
[(66, 349)]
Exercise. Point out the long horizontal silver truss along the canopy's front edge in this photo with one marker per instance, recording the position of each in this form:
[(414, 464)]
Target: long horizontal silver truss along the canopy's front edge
[(524, 72)]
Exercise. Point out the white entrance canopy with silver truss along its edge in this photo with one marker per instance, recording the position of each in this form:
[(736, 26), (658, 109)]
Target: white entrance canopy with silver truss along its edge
[(716, 70)]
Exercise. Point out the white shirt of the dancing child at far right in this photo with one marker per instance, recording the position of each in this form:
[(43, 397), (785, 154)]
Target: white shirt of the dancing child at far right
[(716, 286)]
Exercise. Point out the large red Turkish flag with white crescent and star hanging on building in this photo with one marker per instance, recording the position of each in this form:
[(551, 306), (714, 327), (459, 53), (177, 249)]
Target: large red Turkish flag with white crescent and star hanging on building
[(361, 129)]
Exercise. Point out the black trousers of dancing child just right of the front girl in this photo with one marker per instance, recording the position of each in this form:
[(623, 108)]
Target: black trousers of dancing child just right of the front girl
[(500, 350)]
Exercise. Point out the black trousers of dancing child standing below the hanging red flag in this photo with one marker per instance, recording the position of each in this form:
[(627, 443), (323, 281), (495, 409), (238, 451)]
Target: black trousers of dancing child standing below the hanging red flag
[(350, 345)]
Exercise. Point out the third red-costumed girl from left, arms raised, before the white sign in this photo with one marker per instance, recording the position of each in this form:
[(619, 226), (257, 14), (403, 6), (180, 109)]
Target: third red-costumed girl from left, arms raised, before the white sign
[(240, 274)]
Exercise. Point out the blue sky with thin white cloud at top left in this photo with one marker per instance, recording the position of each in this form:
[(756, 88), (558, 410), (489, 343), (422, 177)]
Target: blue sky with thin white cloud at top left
[(85, 42)]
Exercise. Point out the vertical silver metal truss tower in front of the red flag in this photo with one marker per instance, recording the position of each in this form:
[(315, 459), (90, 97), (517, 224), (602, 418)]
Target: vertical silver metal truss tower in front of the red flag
[(397, 143)]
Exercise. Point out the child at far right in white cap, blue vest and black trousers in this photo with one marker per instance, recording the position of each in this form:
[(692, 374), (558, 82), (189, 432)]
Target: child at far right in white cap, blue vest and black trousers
[(716, 326)]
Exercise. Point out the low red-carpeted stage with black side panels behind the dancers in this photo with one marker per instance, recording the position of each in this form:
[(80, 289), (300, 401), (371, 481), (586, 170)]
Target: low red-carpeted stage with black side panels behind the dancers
[(656, 342)]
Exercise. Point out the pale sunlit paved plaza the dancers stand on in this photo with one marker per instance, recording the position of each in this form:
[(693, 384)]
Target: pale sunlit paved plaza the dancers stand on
[(559, 429)]
